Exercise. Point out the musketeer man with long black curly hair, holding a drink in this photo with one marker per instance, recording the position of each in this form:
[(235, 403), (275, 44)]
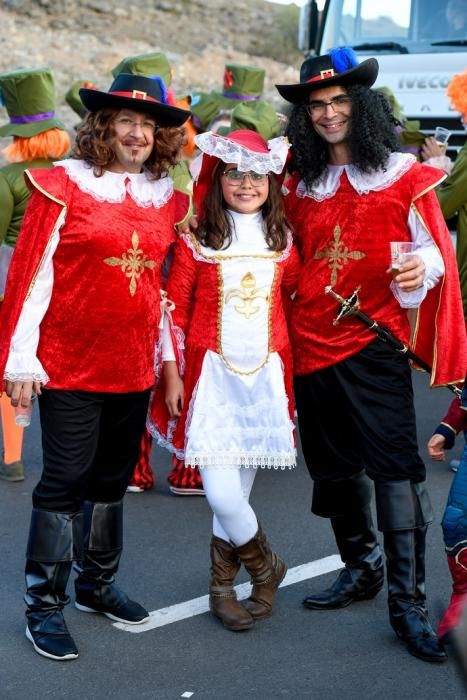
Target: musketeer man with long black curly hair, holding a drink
[(352, 193)]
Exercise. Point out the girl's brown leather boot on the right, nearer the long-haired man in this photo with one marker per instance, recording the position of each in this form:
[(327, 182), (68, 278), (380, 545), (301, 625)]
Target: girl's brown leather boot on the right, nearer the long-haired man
[(266, 570)]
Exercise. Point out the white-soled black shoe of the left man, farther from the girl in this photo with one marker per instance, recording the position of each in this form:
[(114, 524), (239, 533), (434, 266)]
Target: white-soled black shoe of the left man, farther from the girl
[(49, 635)]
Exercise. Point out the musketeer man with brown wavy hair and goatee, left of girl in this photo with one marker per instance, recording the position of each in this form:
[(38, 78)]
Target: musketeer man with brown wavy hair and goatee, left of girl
[(80, 319)]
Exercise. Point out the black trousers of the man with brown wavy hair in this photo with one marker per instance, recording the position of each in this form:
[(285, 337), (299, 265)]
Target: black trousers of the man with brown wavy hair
[(90, 443)]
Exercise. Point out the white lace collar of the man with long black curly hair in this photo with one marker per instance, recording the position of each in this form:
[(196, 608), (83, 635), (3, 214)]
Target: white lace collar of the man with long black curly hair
[(398, 164)]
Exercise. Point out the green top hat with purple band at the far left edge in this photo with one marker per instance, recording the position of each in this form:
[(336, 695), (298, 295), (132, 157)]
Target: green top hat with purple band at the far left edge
[(29, 98)]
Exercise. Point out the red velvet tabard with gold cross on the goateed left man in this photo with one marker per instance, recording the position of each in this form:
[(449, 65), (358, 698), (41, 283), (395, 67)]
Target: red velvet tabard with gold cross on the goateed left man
[(100, 330)]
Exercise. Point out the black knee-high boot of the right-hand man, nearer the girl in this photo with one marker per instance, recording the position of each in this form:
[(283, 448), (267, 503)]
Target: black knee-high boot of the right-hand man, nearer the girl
[(347, 502)]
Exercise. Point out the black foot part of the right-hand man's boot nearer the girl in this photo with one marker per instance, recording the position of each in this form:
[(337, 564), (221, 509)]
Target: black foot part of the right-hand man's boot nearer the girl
[(351, 585)]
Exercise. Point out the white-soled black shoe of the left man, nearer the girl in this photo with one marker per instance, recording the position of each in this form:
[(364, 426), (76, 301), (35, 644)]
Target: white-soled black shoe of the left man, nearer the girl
[(110, 601)]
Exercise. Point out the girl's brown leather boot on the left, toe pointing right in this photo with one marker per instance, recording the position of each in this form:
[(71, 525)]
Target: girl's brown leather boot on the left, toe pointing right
[(223, 602)]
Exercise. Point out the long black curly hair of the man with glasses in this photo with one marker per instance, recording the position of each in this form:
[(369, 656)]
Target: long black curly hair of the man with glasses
[(372, 136)]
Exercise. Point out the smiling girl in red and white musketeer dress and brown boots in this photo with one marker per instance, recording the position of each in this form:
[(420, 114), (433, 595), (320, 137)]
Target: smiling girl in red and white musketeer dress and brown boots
[(227, 362)]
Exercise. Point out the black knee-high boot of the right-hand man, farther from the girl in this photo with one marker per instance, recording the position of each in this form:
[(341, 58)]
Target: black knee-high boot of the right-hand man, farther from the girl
[(404, 512)]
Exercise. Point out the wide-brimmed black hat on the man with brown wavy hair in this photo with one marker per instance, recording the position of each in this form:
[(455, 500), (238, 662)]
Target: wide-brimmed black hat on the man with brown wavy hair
[(138, 93)]
